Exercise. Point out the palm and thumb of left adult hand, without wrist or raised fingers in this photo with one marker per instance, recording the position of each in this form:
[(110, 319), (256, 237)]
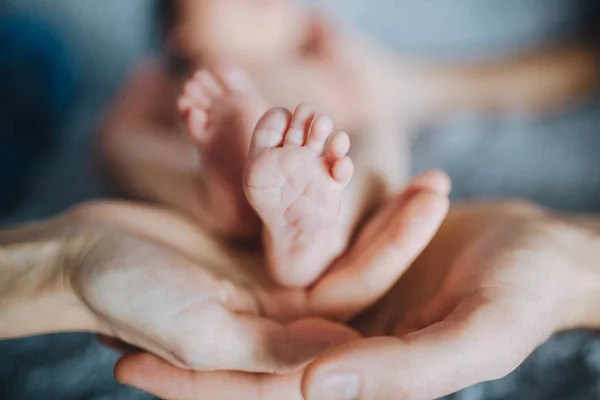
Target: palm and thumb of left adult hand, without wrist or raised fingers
[(197, 308)]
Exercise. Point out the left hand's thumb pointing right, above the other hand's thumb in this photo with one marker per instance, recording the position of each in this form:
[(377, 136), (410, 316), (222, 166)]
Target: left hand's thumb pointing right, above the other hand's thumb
[(219, 339)]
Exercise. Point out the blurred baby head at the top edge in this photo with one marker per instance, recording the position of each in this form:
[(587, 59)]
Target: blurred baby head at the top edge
[(248, 32)]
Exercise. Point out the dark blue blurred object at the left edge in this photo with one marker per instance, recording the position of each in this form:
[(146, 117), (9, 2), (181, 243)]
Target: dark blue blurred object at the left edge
[(36, 85)]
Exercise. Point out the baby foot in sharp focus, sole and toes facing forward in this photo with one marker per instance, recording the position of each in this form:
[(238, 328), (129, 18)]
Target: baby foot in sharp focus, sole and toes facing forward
[(295, 182)]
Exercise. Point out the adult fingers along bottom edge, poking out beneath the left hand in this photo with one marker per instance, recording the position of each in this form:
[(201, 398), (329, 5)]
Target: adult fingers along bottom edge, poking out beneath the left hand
[(155, 376)]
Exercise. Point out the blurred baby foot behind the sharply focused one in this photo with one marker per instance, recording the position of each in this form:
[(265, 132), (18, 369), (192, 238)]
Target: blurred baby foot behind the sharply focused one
[(221, 107)]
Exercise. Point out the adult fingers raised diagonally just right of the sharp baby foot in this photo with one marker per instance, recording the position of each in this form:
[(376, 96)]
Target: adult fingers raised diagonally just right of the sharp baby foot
[(384, 250)]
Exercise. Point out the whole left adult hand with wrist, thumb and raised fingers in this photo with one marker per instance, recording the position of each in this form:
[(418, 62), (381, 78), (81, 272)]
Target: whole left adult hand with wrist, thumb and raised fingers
[(154, 280)]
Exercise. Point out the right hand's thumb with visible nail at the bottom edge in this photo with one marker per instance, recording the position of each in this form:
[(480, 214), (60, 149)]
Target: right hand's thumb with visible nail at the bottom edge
[(474, 344)]
